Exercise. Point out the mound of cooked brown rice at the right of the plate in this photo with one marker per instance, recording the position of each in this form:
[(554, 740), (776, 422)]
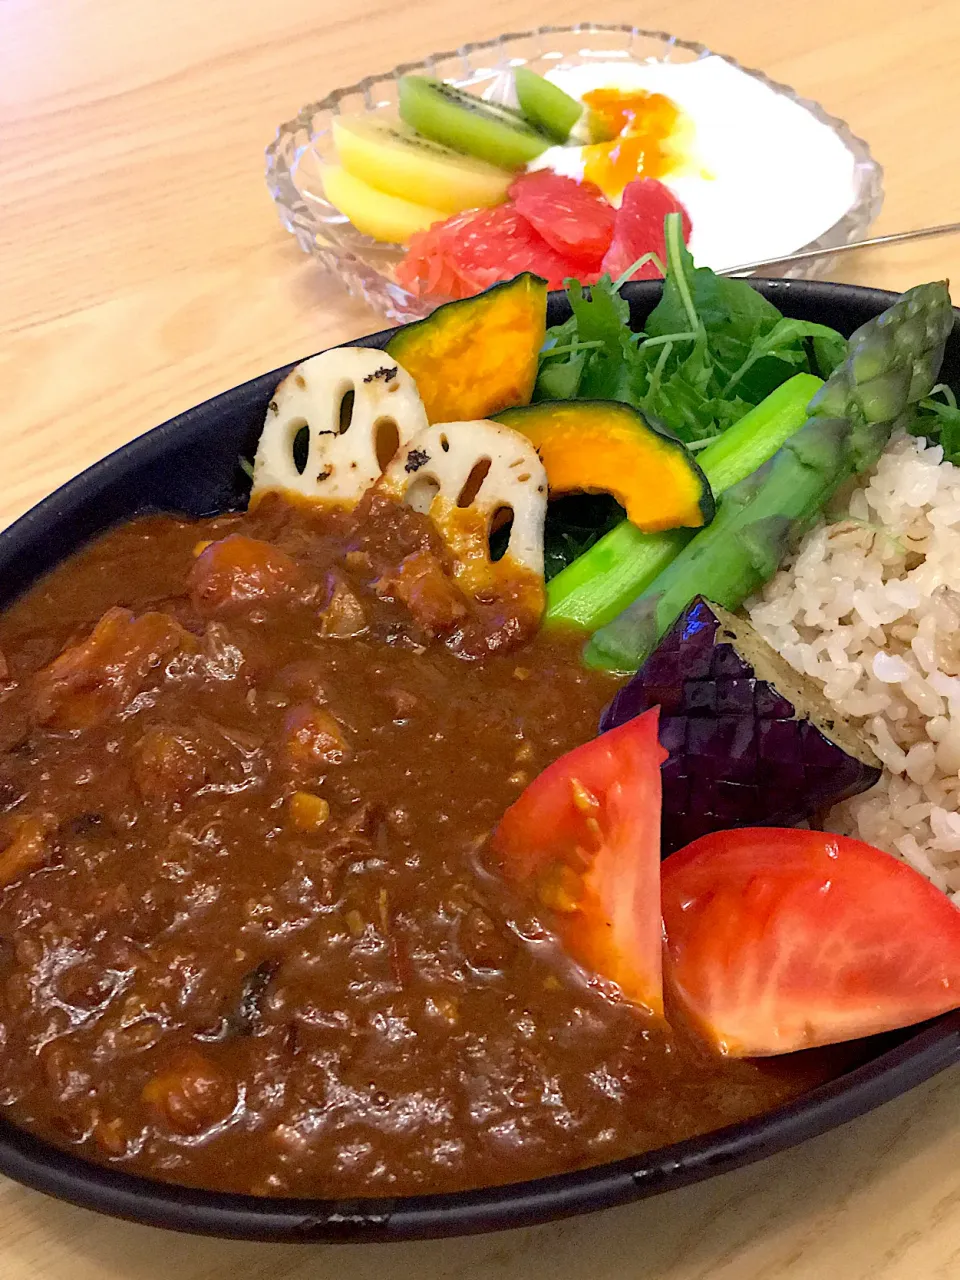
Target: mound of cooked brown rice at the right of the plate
[(871, 607)]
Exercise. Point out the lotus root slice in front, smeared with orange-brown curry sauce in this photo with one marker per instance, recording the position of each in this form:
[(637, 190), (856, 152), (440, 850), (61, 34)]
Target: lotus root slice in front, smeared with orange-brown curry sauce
[(465, 476)]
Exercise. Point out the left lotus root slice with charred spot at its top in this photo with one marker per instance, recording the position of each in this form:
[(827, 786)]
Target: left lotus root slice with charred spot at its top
[(359, 408)]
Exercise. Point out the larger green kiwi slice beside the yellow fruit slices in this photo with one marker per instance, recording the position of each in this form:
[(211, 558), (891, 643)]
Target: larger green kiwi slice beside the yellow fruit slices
[(468, 125)]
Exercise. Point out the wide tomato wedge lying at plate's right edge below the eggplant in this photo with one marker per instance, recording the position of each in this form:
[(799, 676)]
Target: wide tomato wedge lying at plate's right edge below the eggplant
[(784, 940)]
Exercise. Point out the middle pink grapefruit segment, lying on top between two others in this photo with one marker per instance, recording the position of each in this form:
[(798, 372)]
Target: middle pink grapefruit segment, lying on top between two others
[(575, 218)]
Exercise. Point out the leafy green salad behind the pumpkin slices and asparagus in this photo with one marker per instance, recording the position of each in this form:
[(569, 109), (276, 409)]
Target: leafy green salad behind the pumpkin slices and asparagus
[(712, 349)]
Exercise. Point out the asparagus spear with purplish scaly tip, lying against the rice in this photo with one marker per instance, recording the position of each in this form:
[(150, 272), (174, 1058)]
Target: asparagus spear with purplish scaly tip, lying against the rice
[(893, 363)]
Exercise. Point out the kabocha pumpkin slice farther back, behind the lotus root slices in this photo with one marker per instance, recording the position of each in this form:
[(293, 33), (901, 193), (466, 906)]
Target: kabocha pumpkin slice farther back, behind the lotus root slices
[(476, 358)]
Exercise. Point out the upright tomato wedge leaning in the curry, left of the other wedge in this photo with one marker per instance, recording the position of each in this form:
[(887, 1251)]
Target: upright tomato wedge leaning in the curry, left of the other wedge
[(586, 839)]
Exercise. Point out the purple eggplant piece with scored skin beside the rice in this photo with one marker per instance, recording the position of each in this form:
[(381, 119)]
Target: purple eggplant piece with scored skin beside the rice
[(752, 742)]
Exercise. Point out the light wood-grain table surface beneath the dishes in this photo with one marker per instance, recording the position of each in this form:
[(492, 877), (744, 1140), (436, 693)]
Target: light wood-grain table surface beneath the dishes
[(143, 269)]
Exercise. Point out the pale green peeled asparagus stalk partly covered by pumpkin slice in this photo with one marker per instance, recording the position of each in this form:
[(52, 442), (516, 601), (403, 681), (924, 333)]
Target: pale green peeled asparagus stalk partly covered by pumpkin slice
[(597, 586)]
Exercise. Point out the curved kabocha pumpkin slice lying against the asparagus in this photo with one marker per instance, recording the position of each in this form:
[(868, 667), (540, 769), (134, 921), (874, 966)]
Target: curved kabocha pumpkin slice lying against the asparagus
[(607, 447)]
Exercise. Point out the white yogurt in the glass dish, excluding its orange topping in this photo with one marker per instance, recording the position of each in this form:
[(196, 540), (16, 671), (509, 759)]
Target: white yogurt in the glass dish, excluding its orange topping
[(766, 177)]
